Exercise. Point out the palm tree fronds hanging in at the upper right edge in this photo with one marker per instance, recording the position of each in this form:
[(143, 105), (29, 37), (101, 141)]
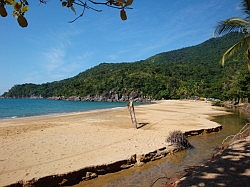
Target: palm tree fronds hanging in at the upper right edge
[(237, 25)]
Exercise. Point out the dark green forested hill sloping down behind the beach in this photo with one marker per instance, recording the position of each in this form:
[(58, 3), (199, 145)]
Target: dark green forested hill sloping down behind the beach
[(182, 73)]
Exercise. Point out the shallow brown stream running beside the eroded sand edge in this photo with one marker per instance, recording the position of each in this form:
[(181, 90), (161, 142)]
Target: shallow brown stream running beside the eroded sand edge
[(173, 165)]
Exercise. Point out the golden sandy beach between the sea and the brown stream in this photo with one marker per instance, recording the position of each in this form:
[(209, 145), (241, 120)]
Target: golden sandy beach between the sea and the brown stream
[(42, 146)]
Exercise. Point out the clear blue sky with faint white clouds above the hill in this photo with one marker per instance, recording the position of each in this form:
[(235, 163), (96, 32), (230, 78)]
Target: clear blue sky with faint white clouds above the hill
[(51, 49)]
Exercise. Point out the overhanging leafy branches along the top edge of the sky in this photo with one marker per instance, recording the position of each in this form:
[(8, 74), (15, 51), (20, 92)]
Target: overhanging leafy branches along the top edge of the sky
[(20, 7)]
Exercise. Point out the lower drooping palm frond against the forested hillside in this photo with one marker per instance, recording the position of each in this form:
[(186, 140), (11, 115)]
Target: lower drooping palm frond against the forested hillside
[(235, 48)]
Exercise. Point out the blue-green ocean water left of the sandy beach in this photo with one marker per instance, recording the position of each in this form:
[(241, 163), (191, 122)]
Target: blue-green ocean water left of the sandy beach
[(15, 108)]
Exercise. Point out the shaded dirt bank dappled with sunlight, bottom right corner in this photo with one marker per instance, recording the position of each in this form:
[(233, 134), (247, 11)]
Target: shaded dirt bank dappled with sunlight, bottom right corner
[(230, 166)]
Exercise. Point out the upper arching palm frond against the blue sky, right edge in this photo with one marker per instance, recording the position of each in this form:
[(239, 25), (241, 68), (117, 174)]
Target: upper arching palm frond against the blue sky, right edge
[(231, 25)]
